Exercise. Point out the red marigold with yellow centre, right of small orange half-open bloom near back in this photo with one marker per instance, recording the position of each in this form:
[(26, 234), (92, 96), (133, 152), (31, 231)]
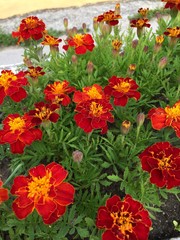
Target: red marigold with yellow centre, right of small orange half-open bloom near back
[(80, 42)]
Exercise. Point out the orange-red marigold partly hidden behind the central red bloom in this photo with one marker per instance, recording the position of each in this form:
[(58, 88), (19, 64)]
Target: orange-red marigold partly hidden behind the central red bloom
[(88, 93)]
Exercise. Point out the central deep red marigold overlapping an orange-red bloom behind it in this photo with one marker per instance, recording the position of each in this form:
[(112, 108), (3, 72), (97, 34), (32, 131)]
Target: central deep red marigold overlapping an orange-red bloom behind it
[(94, 114)]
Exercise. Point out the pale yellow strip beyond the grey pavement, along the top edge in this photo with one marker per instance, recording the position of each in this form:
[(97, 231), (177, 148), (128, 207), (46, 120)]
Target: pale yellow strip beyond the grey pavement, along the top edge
[(9, 8)]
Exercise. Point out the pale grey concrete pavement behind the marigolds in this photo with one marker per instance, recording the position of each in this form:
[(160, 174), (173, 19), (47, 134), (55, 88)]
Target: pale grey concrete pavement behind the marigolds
[(53, 18)]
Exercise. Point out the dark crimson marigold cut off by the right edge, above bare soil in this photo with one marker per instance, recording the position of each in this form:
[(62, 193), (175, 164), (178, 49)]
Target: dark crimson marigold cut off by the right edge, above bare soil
[(162, 161)]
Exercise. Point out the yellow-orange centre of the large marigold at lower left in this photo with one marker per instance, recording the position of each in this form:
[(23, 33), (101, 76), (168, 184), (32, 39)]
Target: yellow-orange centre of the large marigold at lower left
[(39, 187)]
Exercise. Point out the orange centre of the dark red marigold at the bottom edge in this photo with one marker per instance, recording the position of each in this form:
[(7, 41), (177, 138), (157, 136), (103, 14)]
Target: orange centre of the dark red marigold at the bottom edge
[(123, 220)]
